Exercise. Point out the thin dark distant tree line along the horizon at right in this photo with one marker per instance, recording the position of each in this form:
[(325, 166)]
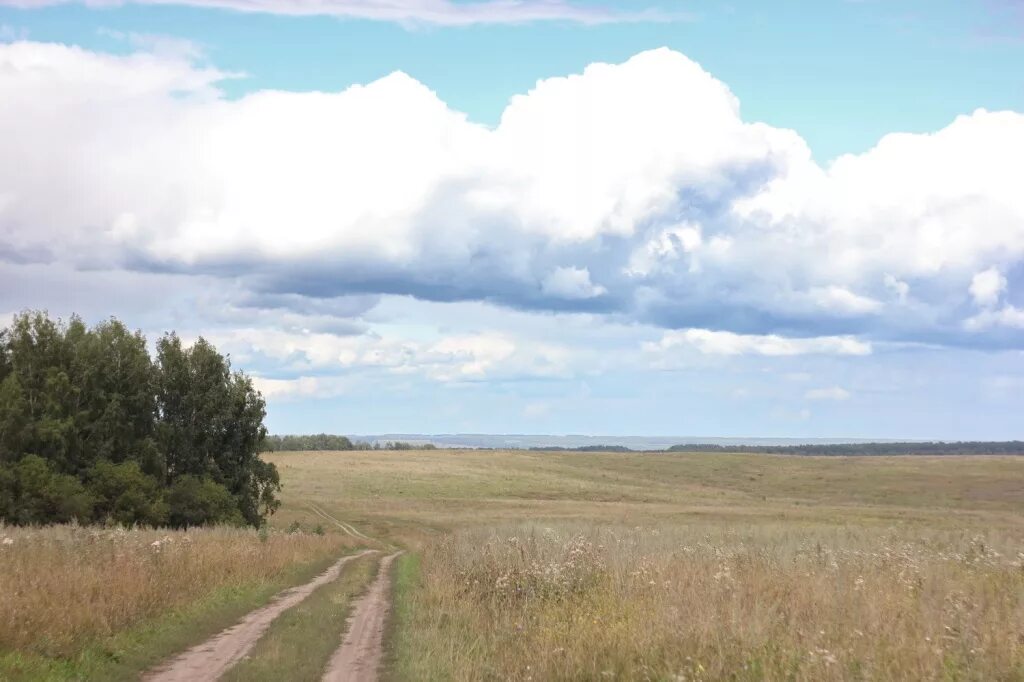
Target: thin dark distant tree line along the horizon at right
[(938, 448)]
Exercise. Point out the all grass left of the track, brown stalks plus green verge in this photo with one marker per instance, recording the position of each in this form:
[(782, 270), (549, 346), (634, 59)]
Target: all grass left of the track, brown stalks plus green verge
[(104, 605)]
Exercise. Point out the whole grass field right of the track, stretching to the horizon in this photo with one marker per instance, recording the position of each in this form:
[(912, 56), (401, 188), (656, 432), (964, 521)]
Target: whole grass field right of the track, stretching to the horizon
[(570, 567)]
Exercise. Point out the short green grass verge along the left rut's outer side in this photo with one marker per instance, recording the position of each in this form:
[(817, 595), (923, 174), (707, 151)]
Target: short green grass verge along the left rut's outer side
[(126, 655)]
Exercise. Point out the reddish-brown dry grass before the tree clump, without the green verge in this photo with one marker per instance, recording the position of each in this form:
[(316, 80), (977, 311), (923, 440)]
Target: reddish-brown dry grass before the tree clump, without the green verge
[(66, 587)]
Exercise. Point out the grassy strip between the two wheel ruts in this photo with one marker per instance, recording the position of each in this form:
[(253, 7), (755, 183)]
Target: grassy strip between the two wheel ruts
[(301, 643)]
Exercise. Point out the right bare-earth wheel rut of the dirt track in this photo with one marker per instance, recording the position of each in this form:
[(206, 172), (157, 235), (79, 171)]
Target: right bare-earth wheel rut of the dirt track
[(359, 658)]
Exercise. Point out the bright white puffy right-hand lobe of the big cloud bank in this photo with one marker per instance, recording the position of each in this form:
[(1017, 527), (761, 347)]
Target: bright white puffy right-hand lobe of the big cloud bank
[(915, 205)]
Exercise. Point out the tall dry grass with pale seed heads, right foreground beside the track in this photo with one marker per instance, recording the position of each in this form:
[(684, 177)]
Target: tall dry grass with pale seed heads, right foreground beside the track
[(791, 603)]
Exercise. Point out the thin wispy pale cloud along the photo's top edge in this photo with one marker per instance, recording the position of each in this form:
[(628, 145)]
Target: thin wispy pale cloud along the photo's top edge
[(442, 13)]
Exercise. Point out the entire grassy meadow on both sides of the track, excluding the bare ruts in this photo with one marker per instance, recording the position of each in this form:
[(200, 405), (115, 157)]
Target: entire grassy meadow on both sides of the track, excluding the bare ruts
[(563, 567)]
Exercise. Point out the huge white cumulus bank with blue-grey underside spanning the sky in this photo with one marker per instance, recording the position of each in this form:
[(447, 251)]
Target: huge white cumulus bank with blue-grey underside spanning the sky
[(635, 190)]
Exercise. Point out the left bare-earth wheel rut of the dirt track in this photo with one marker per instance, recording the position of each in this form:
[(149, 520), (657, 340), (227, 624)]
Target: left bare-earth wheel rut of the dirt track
[(214, 658)]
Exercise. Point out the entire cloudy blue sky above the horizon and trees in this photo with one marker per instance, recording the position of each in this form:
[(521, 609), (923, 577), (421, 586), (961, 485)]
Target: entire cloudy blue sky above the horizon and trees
[(784, 220)]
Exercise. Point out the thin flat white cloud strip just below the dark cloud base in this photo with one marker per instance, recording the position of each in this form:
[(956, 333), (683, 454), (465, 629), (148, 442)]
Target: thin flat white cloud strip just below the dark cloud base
[(727, 344)]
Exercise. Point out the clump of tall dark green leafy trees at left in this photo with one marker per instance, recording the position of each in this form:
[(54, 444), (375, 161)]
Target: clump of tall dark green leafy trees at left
[(96, 430)]
